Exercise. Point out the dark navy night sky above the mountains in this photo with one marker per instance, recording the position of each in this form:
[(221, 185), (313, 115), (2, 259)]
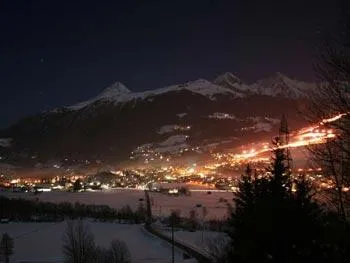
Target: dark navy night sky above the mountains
[(55, 53)]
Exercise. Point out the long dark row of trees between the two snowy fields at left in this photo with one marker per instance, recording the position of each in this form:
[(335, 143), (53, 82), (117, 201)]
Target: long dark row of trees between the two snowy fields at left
[(29, 210)]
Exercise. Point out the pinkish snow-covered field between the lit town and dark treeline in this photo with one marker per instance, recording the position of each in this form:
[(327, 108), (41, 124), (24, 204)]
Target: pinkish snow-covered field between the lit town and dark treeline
[(162, 204)]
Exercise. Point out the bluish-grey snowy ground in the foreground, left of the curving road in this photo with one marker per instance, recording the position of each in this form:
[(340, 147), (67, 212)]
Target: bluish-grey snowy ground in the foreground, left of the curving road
[(42, 241)]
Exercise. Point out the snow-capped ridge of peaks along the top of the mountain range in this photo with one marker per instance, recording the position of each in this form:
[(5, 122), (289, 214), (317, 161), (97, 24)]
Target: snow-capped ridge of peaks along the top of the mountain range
[(278, 85)]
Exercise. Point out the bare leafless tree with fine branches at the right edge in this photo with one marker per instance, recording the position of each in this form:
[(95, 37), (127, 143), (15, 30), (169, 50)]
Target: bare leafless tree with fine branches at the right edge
[(333, 70)]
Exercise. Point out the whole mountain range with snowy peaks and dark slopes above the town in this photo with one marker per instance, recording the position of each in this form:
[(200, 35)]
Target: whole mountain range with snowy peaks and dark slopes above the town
[(191, 118)]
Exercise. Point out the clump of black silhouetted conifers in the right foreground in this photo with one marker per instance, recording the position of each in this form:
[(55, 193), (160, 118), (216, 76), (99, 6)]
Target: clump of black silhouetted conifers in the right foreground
[(270, 223)]
